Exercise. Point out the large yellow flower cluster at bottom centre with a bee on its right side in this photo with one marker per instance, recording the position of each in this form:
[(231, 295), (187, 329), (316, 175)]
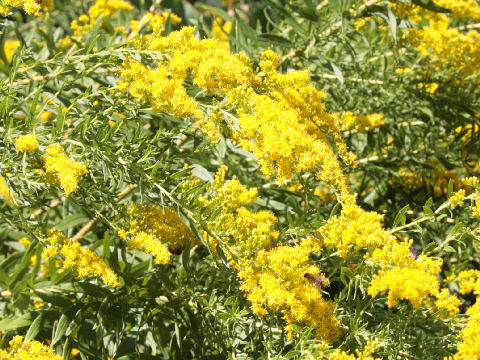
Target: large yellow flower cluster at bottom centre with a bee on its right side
[(276, 280)]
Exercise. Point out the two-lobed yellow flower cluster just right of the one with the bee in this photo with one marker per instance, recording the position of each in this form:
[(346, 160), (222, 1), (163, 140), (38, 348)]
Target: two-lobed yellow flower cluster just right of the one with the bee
[(399, 271)]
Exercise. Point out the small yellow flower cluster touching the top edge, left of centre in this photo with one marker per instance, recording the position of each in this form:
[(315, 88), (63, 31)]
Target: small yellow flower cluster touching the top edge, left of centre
[(101, 7)]
